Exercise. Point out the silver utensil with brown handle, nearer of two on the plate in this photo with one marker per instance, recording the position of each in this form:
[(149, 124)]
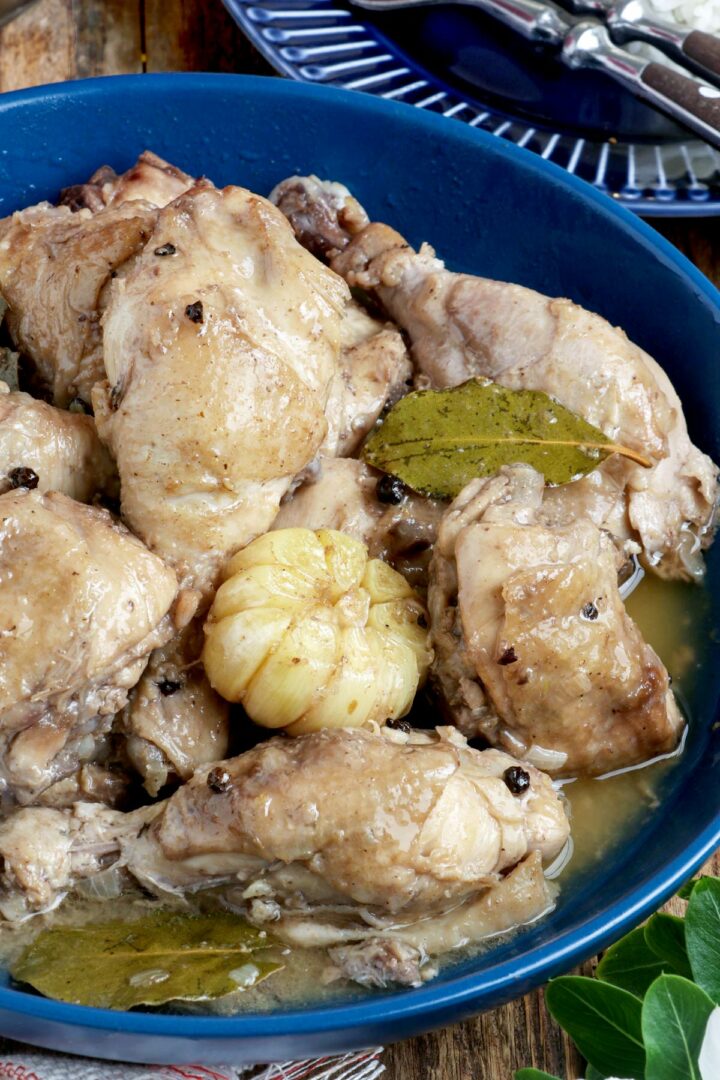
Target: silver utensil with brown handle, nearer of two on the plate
[(587, 44)]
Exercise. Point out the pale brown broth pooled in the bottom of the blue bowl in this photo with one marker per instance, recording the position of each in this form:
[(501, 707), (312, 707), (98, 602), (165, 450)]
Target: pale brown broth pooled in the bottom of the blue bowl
[(673, 618)]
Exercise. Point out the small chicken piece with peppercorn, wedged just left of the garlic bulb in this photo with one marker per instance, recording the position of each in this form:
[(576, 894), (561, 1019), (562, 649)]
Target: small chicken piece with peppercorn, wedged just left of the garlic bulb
[(174, 722)]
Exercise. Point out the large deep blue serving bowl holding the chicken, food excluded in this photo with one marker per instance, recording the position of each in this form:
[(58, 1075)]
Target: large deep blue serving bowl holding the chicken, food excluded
[(493, 209)]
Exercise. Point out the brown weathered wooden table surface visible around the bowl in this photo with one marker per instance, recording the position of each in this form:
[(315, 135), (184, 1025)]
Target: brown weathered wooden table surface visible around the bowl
[(70, 39)]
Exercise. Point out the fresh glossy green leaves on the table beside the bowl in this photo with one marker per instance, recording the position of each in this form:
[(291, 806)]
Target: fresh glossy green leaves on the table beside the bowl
[(645, 1015)]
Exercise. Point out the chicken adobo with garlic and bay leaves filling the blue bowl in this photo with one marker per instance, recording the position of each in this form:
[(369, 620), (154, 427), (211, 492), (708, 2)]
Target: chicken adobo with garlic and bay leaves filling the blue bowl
[(327, 577)]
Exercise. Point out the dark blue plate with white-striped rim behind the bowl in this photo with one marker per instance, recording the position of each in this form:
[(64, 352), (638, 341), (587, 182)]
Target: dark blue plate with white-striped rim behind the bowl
[(457, 62)]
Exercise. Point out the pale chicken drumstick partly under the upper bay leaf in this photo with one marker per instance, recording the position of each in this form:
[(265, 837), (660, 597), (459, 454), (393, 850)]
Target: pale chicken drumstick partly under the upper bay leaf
[(461, 327)]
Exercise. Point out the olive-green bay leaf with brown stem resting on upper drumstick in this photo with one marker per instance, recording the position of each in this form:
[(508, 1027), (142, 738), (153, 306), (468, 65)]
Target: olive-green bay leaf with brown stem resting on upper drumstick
[(438, 441)]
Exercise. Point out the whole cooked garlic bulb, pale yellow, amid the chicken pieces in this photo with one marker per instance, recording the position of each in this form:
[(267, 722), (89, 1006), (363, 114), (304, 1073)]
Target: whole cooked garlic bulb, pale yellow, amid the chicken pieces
[(307, 632)]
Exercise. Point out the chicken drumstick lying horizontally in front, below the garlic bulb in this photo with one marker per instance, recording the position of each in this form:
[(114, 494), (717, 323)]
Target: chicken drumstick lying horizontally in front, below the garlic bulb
[(378, 846)]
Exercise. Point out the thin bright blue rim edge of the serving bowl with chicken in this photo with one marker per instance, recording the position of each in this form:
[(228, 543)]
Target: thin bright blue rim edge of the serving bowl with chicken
[(566, 950)]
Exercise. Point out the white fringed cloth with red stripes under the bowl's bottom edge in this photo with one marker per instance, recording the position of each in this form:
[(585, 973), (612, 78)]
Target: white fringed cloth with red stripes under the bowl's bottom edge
[(24, 1063)]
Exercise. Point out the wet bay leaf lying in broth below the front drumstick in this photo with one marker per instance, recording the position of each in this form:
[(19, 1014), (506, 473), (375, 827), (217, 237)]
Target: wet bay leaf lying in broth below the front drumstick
[(166, 956)]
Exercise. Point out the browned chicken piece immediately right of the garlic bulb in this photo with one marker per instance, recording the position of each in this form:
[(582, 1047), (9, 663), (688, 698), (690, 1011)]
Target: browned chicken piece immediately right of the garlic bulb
[(534, 647)]
